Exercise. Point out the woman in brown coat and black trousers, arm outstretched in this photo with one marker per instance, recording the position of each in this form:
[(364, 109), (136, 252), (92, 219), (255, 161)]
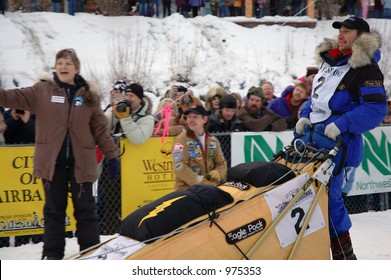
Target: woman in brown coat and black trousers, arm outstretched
[(69, 123)]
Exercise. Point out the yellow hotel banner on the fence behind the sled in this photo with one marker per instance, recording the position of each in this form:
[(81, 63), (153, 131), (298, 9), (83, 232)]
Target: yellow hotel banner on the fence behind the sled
[(146, 173)]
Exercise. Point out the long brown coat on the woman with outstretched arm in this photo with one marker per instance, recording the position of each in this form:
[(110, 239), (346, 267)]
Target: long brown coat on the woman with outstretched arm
[(86, 123)]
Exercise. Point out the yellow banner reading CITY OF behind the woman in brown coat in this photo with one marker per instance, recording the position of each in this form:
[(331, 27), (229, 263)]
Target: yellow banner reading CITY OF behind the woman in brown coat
[(21, 194)]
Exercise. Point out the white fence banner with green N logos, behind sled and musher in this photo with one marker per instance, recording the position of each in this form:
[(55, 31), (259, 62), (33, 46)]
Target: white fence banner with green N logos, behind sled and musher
[(372, 176)]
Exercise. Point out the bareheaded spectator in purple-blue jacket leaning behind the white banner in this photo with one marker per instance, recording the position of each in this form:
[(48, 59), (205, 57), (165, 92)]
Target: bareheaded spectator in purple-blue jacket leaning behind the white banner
[(288, 105)]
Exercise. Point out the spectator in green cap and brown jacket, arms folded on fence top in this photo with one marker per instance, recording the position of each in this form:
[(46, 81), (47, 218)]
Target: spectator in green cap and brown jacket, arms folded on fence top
[(255, 117)]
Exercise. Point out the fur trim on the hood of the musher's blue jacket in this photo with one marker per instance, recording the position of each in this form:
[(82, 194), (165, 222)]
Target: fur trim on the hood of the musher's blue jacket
[(365, 49)]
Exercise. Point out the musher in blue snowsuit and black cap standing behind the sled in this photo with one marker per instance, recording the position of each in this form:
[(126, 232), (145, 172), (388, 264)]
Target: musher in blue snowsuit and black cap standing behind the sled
[(347, 99)]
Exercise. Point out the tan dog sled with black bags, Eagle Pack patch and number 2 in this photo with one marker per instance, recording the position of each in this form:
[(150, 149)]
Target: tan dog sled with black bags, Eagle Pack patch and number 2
[(266, 210)]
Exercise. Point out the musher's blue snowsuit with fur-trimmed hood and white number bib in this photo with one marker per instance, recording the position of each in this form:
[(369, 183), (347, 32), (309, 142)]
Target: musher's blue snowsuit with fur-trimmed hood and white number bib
[(355, 101)]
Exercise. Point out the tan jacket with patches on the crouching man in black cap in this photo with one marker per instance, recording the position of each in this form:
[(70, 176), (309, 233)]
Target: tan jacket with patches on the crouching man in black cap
[(191, 163)]
